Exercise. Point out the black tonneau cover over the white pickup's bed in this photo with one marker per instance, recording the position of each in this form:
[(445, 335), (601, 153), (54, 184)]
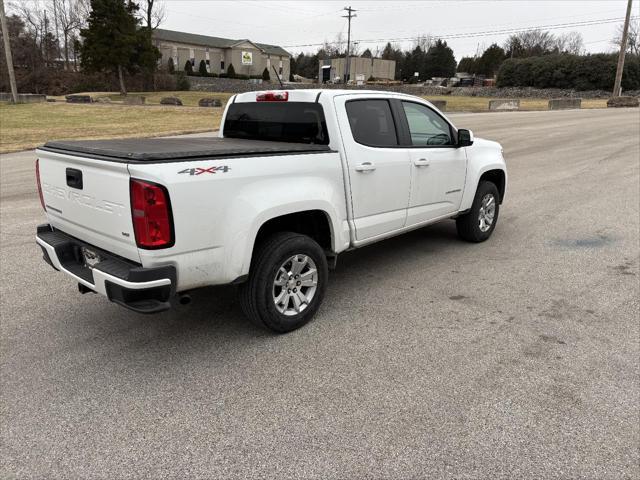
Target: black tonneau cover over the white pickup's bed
[(143, 150)]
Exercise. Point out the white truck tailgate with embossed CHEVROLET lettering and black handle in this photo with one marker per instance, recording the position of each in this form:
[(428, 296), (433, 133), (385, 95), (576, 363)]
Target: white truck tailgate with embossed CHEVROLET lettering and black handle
[(89, 199)]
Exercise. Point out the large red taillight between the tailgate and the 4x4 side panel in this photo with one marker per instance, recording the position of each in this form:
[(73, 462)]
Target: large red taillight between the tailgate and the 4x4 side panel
[(151, 213)]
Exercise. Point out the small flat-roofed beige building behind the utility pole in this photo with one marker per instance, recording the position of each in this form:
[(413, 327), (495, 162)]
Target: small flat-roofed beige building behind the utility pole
[(359, 68)]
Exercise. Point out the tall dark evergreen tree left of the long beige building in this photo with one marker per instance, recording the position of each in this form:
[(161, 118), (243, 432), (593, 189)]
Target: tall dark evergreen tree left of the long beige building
[(112, 41)]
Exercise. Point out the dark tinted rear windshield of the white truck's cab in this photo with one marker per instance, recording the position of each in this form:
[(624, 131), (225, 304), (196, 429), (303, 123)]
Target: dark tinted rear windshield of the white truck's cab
[(297, 122)]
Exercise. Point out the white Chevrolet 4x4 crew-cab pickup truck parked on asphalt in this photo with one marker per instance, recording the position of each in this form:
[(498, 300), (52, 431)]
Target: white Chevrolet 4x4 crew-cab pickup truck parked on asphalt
[(294, 178)]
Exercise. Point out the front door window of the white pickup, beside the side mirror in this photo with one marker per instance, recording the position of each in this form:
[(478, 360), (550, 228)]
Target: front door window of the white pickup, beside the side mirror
[(426, 127)]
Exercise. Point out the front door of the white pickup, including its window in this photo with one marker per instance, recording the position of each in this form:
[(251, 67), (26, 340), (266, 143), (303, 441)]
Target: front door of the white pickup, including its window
[(438, 167)]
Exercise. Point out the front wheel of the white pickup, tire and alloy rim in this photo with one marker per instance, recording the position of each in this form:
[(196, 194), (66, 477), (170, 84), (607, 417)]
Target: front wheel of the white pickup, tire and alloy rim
[(477, 225)]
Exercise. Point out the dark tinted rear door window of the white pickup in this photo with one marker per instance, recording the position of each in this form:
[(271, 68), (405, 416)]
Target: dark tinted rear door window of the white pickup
[(372, 123)]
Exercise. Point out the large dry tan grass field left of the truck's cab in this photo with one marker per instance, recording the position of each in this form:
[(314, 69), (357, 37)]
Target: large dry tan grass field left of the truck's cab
[(28, 125)]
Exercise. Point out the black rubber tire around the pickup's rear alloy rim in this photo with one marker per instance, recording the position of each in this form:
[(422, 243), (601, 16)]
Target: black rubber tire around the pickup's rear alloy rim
[(256, 294)]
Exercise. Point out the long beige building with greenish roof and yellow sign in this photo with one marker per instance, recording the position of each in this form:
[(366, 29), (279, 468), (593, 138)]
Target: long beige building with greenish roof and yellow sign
[(247, 57)]
